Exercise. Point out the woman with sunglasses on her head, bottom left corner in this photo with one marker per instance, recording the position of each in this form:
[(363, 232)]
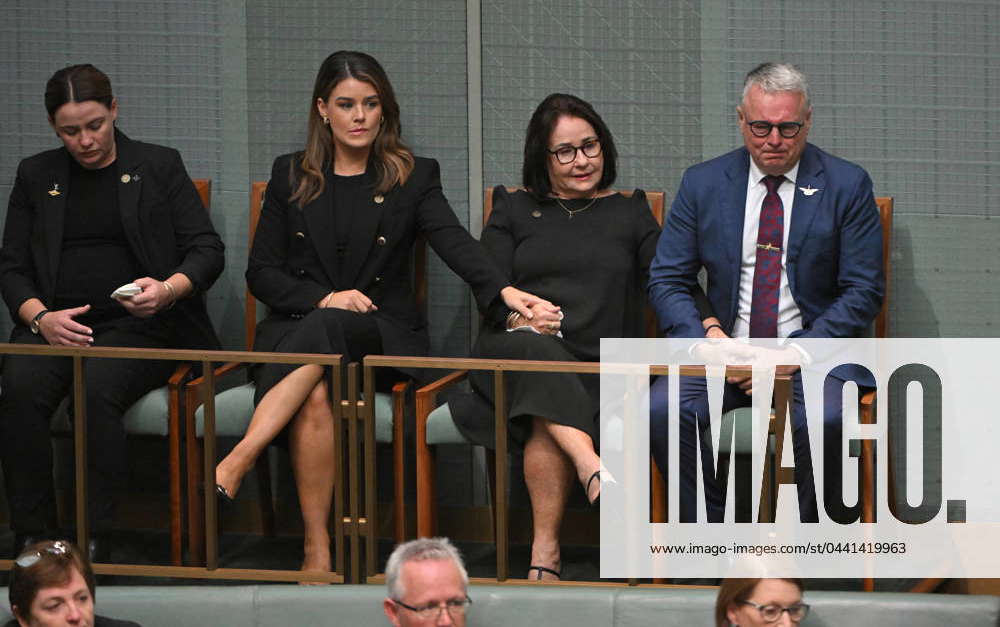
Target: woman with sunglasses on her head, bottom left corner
[(52, 585)]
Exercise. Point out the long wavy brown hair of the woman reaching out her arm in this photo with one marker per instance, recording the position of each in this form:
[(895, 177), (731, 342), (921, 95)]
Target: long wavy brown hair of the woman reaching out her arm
[(393, 161)]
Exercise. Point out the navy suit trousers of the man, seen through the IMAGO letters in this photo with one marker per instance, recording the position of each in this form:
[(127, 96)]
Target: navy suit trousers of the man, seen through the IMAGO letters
[(693, 400)]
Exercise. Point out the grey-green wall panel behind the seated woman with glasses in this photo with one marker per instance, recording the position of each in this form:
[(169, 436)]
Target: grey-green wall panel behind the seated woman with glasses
[(636, 62)]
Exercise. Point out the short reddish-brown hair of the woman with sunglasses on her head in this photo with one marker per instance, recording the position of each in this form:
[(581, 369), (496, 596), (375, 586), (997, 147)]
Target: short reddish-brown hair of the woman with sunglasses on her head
[(54, 567)]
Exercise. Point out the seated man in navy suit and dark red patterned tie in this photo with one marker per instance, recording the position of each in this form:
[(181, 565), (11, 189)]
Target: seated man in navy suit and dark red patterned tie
[(791, 241)]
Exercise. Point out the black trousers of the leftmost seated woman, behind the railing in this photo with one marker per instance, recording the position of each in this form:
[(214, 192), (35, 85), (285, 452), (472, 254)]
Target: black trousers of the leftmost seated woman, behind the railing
[(32, 388)]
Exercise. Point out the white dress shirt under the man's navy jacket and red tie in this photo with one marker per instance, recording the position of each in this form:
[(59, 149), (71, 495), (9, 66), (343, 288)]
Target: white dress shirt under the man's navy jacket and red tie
[(789, 316)]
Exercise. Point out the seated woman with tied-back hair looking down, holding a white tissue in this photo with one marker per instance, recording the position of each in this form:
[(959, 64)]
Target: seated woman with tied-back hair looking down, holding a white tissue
[(100, 213)]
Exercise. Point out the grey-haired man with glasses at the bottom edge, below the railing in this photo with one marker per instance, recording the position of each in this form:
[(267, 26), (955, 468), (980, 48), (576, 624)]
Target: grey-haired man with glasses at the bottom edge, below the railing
[(427, 583)]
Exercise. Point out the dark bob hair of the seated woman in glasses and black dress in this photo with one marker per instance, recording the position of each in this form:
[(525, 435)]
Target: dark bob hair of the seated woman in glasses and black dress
[(535, 171)]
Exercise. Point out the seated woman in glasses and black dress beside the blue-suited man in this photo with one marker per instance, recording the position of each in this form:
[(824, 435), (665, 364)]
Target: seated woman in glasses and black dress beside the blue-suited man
[(570, 239)]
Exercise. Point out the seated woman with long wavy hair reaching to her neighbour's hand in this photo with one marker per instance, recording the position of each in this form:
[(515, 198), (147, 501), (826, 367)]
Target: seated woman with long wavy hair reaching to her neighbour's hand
[(332, 260)]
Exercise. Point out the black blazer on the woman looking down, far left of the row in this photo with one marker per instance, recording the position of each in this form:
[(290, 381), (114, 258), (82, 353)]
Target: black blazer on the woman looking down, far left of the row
[(165, 223)]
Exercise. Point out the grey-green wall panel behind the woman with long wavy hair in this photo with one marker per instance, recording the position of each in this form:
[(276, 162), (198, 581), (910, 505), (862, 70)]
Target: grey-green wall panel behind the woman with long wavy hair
[(422, 47)]
